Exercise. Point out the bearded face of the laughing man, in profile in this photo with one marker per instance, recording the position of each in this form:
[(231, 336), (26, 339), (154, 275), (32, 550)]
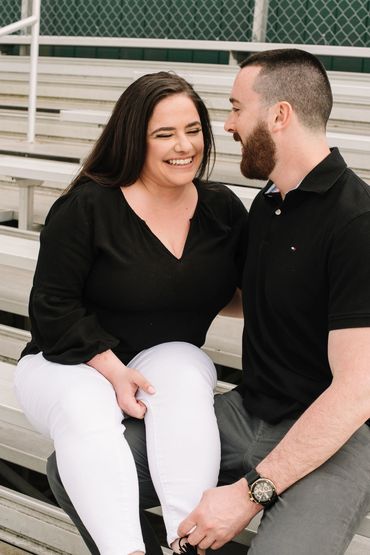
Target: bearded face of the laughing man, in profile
[(248, 123)]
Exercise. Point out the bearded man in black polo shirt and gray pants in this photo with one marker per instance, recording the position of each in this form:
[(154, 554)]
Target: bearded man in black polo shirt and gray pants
[(294, 442)]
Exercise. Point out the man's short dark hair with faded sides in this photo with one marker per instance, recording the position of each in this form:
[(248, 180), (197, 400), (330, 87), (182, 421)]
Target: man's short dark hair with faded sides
[(297, 77)]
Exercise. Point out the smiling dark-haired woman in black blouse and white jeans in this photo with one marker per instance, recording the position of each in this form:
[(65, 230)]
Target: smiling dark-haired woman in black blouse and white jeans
[(136, 259)]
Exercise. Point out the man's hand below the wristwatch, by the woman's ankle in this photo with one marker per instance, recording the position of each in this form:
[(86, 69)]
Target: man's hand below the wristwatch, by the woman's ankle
[(221, 514)]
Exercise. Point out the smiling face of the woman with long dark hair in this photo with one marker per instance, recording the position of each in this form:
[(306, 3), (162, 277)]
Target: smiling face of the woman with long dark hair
[(174, 143)]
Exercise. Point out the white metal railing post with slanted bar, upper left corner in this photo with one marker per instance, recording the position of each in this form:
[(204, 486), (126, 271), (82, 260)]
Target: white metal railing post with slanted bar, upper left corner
[(32, 21)]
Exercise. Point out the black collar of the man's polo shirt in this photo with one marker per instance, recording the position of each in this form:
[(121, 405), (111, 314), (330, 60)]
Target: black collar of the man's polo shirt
[(321, 178)]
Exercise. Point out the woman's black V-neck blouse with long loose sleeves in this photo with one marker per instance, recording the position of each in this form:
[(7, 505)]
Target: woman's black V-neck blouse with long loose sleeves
[(104, 281)]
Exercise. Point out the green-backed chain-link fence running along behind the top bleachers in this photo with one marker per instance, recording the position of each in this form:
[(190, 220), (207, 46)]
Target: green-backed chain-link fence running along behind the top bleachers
[(326, 22)]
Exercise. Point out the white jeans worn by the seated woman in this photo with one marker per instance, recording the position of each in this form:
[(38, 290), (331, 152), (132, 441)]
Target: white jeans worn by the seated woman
[(76, 406)]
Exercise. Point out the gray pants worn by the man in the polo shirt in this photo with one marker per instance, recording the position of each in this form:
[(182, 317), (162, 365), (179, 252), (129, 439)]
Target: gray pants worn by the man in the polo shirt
[(318, 515)]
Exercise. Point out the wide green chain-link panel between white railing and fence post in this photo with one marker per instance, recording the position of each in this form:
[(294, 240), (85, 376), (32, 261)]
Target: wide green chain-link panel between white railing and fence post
[(172, 19)]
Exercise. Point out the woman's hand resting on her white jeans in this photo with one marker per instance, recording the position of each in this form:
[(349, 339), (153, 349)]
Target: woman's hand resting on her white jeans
[(125, 381)]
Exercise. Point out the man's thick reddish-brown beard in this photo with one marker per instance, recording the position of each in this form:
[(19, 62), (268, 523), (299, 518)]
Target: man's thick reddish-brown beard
[(258, 154)]
